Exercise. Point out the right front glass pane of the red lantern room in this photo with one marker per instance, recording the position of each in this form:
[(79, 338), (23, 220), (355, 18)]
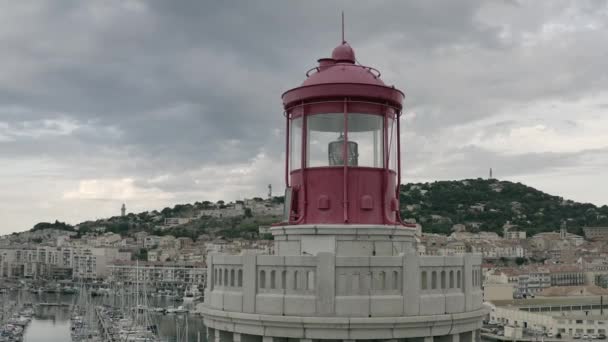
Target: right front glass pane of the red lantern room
[(365, 130)]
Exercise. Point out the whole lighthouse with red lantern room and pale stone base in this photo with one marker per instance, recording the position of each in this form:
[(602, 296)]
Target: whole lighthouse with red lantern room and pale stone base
[(345, 267)]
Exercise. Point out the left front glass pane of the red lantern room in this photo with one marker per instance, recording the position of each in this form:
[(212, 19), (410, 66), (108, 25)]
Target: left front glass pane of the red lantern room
[(324, 140)]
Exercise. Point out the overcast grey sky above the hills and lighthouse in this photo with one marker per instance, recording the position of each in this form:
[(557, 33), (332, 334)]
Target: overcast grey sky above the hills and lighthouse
[(154, 103)]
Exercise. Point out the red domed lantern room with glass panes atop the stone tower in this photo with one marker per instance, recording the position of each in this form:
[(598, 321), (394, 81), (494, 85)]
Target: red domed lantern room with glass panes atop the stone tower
[(343, 155)]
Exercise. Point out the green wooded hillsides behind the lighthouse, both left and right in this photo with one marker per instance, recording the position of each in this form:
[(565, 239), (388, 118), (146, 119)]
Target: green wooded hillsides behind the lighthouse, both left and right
[(477, 204)]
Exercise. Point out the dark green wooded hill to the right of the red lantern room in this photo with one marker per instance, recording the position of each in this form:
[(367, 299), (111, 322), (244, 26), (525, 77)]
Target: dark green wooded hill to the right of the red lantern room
[(489, 204)]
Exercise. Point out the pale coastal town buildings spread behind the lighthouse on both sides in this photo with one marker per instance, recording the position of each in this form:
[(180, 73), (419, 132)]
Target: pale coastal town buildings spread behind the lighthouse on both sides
[(556, 268)]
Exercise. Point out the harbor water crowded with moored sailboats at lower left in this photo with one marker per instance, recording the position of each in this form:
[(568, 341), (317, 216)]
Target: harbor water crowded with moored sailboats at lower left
[(80, 317)]
